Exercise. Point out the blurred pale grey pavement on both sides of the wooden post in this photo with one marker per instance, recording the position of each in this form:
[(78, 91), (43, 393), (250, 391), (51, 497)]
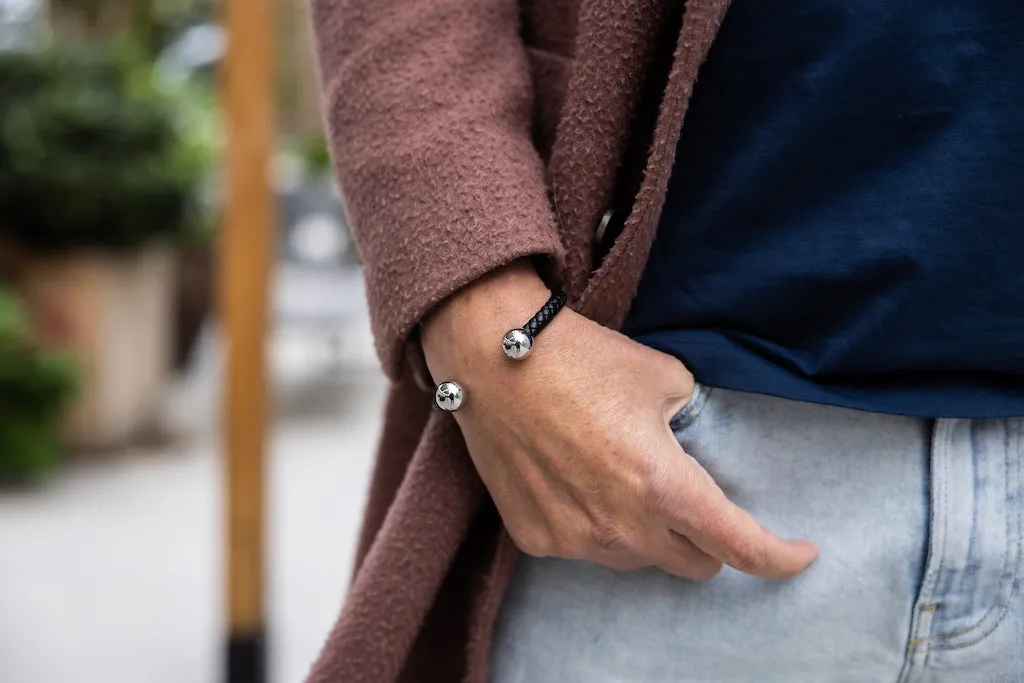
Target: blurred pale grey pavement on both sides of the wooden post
[(113, 574)]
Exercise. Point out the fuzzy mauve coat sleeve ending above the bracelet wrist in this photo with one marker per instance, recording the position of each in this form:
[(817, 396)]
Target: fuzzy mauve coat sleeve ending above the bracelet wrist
[(429, 108)]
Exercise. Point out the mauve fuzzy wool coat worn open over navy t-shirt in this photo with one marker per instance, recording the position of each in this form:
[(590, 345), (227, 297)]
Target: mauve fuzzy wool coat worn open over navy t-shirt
[(466, 135)]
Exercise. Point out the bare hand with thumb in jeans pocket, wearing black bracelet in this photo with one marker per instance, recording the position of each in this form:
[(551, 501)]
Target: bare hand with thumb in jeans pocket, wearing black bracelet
[(575, 447)]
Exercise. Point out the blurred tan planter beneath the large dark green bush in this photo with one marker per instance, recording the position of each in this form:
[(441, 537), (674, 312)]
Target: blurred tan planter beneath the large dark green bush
[(114, 316)]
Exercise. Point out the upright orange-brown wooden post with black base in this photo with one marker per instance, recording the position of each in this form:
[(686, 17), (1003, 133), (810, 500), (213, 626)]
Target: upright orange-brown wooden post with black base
[(246, 262)]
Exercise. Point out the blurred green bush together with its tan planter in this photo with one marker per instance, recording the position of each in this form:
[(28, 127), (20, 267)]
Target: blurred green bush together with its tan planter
[(100, 182)]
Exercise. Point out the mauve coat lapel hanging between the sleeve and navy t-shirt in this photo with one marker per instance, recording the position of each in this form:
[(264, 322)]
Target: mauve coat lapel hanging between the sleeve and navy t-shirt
[(619, 41)]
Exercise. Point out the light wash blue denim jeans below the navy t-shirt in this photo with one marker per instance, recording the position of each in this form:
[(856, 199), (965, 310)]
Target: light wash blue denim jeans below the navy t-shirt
[(920, 578)]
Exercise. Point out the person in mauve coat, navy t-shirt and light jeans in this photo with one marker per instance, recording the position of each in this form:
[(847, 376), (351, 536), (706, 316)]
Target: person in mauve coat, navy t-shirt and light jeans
[(778, 434)]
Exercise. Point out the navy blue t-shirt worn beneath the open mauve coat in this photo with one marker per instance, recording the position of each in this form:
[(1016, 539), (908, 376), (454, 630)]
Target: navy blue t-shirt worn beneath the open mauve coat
[(845, 221)]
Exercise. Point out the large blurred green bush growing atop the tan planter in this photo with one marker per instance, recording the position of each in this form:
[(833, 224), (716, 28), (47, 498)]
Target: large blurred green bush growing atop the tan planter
[(95, 151)]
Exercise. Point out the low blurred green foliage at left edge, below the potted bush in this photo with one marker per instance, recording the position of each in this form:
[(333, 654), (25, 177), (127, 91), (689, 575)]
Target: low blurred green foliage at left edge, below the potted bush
[(35, 387)]
